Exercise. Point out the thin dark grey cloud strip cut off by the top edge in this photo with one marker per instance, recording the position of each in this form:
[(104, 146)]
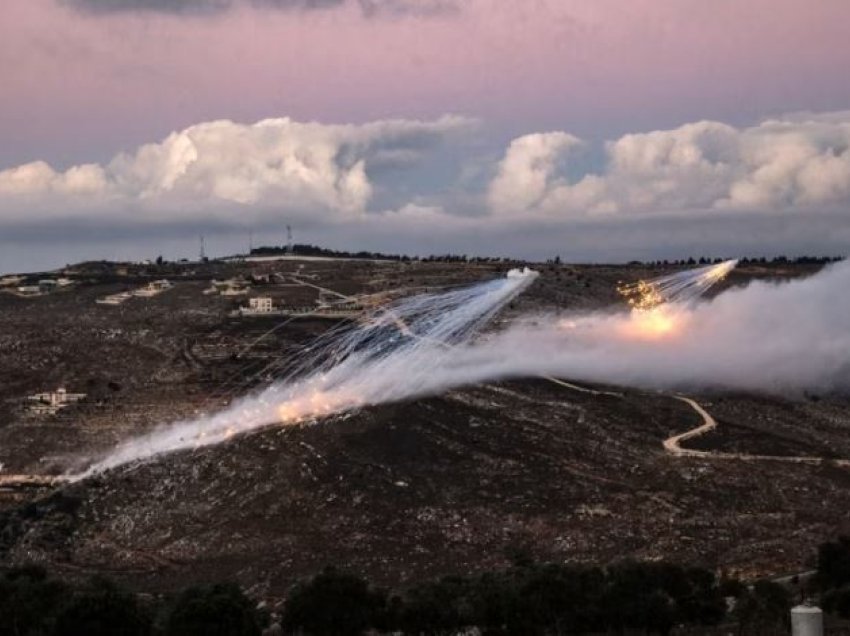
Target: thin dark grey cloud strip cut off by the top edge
[(369, 8)]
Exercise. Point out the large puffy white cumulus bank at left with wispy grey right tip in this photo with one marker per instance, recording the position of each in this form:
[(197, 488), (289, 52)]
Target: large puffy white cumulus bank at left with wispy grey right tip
[(226, 170)]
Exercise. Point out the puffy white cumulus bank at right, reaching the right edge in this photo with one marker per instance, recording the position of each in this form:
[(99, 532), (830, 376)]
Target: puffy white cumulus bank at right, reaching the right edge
[(795, 163)]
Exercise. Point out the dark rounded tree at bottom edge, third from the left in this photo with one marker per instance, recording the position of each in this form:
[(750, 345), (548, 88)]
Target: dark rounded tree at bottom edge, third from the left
[(217, 610)]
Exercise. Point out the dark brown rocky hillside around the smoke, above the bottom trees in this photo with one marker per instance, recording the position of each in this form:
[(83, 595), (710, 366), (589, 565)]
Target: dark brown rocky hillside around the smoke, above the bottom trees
[(453, 483)]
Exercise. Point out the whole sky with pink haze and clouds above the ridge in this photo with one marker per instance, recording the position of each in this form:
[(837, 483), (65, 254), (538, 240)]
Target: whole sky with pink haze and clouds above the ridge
[(597, 130)]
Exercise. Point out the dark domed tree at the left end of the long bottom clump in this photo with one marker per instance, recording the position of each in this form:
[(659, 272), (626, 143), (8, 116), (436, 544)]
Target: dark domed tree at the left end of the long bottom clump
[(333, 603)]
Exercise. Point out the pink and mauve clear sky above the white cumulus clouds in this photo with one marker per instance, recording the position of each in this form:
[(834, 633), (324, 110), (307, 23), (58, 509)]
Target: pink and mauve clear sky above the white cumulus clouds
[(79, 87)]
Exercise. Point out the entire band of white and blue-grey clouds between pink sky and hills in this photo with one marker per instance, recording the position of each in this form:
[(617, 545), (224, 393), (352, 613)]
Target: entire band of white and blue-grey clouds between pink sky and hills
[(782, 186)]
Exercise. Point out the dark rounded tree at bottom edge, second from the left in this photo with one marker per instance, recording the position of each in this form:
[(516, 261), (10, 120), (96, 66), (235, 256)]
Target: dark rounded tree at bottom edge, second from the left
[(102, 609)]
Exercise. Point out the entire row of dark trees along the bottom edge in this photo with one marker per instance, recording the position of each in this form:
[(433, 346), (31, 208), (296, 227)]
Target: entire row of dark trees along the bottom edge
[(526, 598)]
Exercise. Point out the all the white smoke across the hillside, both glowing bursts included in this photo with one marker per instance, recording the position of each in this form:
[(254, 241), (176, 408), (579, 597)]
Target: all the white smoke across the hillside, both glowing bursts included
[(787, 338)]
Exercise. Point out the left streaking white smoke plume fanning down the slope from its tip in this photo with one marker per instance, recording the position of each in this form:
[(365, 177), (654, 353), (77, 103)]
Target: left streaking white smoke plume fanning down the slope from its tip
[(395, 353)]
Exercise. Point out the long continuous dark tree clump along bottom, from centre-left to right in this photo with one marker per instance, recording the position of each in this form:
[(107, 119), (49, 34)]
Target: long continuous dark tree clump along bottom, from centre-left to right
[(525, 599)]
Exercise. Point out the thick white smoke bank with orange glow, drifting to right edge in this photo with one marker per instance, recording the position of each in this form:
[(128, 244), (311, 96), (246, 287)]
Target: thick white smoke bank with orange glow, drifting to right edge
[(783, 338)]
